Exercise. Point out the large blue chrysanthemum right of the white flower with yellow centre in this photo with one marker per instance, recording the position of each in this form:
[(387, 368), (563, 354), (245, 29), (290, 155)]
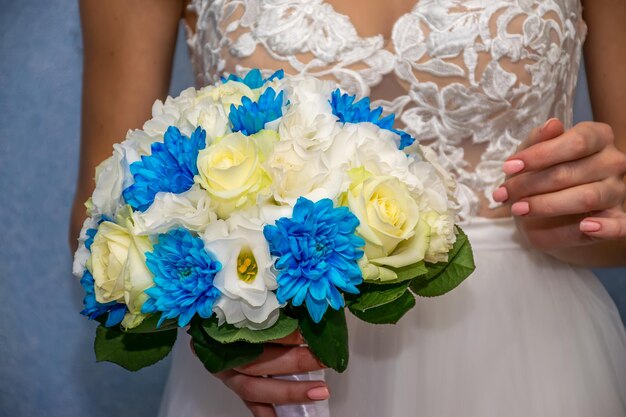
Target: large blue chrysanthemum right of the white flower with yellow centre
[(318, 253)]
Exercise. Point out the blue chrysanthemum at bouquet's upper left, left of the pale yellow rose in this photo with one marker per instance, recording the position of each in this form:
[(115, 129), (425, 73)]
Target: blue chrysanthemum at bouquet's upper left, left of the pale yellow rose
[(171, 168)]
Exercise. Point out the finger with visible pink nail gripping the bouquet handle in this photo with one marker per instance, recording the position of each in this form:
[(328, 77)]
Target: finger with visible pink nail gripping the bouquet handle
[(275, 391)]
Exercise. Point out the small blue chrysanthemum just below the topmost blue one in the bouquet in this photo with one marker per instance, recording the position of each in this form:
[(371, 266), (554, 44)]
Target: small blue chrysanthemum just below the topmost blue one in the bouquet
[(250, 117)]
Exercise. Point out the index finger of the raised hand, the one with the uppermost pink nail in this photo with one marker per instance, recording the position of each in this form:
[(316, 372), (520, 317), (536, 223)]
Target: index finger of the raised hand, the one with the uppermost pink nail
[(583, 140)]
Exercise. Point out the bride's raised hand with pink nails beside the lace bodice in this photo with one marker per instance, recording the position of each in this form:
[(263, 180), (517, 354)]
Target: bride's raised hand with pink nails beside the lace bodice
[(567, 188)]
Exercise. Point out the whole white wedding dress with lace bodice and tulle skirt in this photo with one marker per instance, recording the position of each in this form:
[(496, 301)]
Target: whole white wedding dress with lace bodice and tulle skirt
[(525, 335)]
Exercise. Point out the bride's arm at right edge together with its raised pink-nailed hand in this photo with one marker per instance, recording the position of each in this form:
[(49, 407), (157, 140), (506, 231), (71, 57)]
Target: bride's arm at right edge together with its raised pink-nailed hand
[(567, 188)]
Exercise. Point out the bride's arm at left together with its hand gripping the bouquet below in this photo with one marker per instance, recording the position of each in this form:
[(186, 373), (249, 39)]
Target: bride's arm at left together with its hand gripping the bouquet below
[(129, 47)]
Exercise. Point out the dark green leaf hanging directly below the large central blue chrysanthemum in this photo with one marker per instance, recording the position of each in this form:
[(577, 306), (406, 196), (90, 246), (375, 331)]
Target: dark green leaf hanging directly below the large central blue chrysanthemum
[(328, 339)]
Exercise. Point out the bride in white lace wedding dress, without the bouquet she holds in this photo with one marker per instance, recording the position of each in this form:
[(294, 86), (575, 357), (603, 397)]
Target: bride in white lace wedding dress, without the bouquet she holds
[(488, 86)]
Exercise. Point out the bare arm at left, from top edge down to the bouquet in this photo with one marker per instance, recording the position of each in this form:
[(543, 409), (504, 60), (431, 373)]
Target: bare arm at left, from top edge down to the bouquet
[(128, 52)]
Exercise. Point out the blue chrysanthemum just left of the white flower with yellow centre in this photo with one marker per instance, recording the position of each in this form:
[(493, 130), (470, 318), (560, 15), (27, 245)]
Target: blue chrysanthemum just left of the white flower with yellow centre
[(183, 277)]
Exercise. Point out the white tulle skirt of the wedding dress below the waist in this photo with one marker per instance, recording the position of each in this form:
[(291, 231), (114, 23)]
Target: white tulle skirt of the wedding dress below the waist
[(524, 336)]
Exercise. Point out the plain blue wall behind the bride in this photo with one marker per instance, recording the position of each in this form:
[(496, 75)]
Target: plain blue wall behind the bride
[(47, 364)]
